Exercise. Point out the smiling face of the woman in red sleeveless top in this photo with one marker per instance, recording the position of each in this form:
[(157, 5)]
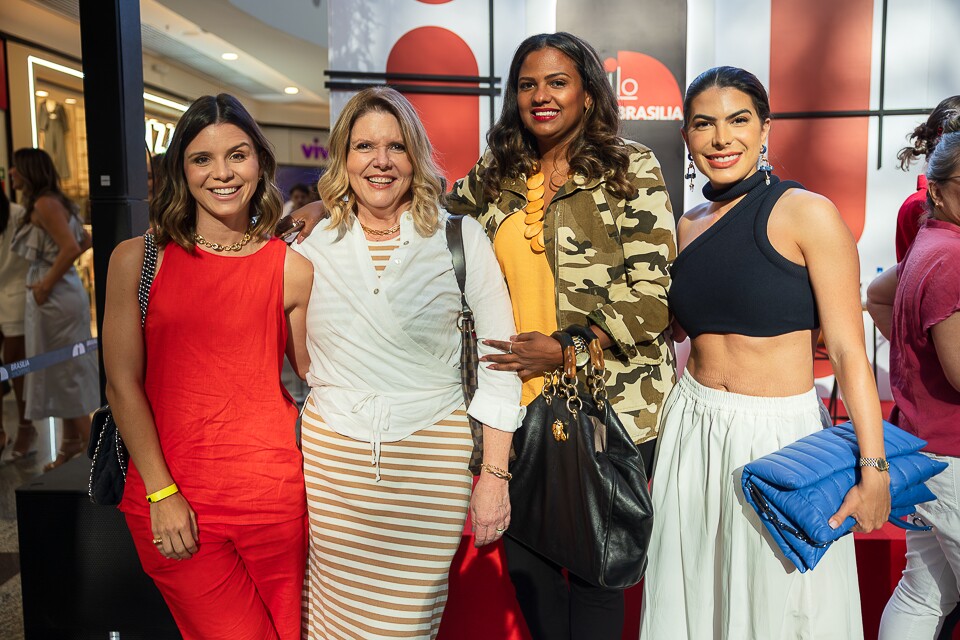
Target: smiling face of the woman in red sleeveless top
[(222, 171)]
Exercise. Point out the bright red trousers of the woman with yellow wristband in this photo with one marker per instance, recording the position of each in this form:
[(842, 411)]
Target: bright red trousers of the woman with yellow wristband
[(244, 583)]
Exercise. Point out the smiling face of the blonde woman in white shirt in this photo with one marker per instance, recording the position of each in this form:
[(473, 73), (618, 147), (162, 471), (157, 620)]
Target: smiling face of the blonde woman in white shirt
[(378, 166)]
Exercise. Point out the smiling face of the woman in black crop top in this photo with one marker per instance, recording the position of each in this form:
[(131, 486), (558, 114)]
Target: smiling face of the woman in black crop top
[(724, 135)]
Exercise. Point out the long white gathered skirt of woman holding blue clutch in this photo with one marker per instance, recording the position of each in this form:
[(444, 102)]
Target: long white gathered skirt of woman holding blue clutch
[(714, 572)]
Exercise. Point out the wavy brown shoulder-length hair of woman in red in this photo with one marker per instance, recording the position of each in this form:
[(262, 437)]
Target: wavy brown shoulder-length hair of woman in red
[(173, 210)]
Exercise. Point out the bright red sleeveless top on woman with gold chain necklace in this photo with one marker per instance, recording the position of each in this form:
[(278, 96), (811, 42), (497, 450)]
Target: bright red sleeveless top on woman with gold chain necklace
[(215, 337)]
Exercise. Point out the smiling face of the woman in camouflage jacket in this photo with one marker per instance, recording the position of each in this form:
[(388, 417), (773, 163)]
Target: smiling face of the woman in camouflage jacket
[(551, 97)]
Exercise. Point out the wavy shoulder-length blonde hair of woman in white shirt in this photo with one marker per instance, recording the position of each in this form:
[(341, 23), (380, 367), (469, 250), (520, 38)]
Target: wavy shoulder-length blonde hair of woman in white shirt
[(429, 185)]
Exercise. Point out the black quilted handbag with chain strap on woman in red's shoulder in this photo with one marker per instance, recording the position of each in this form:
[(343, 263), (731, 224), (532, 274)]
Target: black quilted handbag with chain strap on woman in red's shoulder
[(108, 469)]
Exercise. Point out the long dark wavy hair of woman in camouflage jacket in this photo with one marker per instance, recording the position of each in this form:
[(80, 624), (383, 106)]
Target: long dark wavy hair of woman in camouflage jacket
[(597, 149)]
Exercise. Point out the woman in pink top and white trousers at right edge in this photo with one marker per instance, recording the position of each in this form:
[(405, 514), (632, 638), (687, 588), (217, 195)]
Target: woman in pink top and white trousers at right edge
[(925, 376)]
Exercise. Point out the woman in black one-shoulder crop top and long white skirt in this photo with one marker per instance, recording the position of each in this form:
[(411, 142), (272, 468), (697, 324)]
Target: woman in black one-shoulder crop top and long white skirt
[(762, 265)]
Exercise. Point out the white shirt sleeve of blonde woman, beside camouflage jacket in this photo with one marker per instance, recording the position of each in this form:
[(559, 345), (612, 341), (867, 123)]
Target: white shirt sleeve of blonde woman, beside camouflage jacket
[(497, 401)]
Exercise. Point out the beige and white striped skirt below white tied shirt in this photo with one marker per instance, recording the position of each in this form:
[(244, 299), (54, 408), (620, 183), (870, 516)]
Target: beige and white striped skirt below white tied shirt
[(380, 551)]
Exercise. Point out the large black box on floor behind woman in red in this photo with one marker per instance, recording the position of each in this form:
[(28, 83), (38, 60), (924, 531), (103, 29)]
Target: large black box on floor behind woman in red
[(80, 574)]
